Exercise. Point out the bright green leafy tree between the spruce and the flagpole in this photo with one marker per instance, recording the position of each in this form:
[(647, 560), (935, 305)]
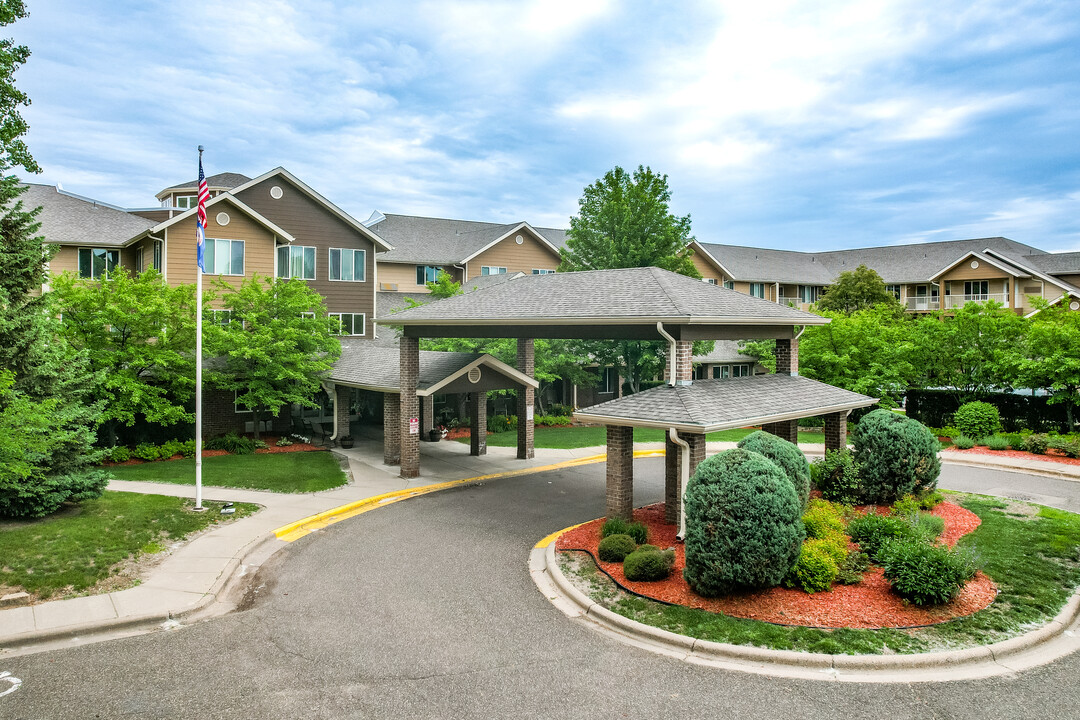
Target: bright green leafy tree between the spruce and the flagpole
[(140, 336)]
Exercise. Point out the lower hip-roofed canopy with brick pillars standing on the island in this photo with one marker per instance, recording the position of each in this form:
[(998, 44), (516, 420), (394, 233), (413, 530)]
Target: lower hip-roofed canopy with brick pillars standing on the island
[(775, 402)]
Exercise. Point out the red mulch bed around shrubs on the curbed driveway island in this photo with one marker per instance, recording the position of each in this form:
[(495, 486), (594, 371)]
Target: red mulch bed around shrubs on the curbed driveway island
[(869, 605)]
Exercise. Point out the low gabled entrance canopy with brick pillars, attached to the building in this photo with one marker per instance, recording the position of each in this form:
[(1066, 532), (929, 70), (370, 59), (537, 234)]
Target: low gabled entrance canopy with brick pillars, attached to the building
[(366, 366)]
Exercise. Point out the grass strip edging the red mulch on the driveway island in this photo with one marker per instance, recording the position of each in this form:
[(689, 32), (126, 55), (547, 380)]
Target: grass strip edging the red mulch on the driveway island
[(1031, 552)]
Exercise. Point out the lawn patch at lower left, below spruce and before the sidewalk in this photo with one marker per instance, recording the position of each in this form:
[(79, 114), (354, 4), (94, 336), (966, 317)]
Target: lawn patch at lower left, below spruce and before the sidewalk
[(79, 547)]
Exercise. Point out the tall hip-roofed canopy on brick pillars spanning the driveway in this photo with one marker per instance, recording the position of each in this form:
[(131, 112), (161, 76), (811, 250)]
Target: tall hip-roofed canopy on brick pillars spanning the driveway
[(634, 304)]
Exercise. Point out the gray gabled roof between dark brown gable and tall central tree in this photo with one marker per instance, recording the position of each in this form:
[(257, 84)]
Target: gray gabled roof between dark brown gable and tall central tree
[(441, 241)]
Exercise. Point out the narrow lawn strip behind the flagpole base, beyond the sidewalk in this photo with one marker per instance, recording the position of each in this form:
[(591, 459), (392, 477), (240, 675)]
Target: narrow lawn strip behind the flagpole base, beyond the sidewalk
[(282, 472)]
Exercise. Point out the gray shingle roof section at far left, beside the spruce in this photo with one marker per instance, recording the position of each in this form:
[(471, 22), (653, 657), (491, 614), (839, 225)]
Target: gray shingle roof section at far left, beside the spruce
[(67, 220)]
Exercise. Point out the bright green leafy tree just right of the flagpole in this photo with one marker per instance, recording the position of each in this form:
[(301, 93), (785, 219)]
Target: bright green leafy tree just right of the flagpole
[(277, 348)]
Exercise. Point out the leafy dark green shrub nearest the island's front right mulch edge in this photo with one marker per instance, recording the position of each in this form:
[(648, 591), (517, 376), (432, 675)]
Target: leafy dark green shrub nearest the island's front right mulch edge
[(925, 574)]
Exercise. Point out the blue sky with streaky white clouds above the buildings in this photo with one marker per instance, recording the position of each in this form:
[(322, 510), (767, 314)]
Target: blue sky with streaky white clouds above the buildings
[(803, 126)]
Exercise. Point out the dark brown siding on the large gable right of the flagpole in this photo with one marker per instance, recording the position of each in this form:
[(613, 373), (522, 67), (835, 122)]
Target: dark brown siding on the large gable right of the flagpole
[(314, 225)]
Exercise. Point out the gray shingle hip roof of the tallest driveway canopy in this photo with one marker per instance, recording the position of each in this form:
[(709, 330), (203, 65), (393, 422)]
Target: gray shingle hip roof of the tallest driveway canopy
[(634, 294)]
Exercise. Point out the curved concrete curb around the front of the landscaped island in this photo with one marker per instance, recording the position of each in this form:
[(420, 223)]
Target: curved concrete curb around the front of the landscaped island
[(826, 667)]
